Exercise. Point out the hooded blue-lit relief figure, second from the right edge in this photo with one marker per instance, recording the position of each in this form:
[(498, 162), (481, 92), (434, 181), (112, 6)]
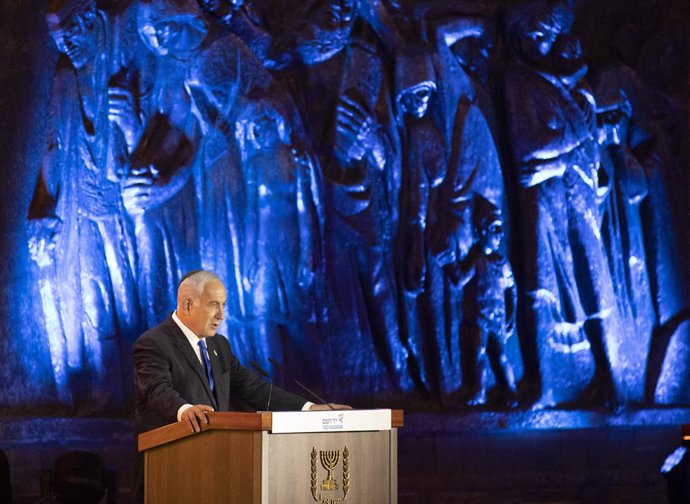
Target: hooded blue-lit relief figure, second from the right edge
[(642, 145)]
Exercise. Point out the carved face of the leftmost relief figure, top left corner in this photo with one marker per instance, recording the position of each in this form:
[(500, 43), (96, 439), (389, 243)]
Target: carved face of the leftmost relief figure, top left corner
[(74, 35)]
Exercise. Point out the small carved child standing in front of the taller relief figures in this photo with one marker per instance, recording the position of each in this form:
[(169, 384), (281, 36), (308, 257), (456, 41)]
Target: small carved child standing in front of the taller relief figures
[(489, 305)]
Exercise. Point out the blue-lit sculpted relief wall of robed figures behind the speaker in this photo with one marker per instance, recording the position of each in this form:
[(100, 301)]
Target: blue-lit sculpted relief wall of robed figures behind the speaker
[(431, 204)]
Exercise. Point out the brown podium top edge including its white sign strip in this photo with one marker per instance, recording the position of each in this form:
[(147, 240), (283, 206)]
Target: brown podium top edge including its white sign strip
[(278, 422)]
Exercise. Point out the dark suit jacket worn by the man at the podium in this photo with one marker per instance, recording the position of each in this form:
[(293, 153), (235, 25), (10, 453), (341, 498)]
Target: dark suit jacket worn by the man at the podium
[(168, 374)]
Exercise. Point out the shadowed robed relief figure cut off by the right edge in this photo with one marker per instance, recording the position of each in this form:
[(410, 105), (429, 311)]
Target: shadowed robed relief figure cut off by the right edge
[(664, 157)]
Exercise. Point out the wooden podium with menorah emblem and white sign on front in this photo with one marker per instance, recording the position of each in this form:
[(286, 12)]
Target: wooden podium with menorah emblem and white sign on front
[(329, 457)]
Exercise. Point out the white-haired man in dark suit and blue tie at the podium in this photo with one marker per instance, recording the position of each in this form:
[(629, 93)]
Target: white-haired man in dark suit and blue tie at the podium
[(172, 381)]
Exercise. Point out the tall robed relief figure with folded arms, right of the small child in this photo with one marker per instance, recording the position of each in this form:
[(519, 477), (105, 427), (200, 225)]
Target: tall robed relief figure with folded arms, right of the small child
[(566, 281)]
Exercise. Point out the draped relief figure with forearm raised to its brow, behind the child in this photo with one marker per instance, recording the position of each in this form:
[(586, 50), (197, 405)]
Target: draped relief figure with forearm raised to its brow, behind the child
[(473, 168)]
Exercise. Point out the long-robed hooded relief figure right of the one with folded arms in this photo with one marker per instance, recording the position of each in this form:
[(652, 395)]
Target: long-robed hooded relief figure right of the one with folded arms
[(638, 154)]
